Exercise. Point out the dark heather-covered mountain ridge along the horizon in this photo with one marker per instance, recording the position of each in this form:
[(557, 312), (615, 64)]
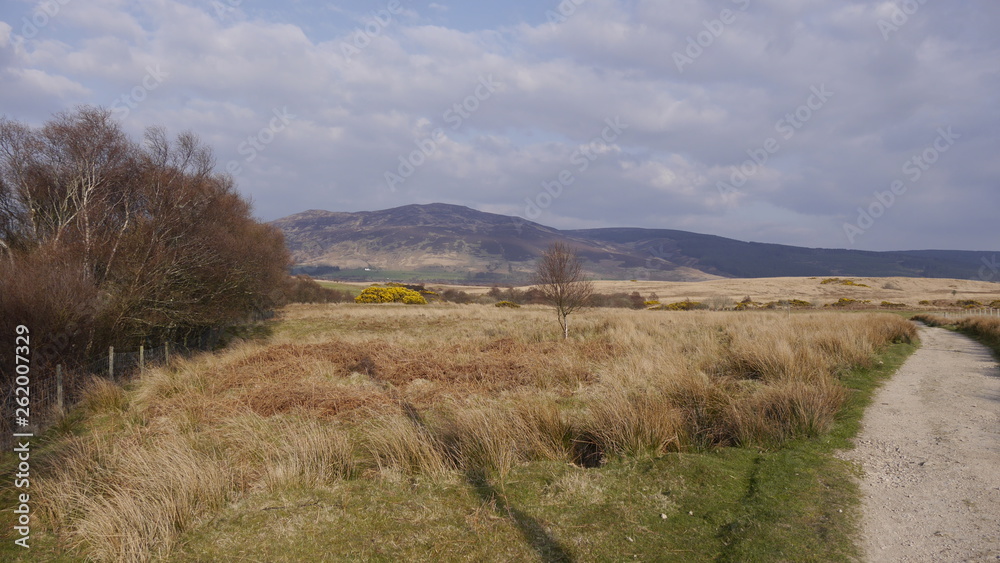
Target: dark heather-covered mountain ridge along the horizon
[(448, 242)]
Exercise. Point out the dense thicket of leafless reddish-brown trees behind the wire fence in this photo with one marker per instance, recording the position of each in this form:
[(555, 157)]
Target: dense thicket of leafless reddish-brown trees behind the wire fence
[(106, 241)]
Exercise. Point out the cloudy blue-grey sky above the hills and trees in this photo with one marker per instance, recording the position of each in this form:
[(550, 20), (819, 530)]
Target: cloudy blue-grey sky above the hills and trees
[(870, 125)]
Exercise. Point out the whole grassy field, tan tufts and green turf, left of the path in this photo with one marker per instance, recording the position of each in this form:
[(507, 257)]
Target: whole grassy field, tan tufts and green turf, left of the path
[(476, 433)]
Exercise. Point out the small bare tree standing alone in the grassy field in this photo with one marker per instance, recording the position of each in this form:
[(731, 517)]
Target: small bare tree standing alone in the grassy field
[(560, 278)]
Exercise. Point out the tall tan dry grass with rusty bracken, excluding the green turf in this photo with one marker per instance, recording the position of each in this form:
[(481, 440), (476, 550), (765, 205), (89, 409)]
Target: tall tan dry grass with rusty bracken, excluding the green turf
[(347, 392)]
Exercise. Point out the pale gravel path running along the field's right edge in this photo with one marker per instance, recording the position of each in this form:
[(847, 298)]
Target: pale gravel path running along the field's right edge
[(930, 451)]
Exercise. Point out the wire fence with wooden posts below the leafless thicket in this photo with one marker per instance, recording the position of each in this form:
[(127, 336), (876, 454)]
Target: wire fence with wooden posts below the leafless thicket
[(55, 390)]
